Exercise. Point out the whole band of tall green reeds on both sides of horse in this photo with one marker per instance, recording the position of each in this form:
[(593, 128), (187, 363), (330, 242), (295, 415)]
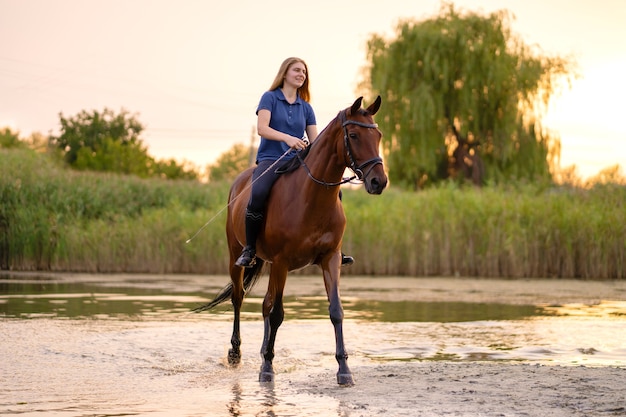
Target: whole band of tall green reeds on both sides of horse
[(55, 219)]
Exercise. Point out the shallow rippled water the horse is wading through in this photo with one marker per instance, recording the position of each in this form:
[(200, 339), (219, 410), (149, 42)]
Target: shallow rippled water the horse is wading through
[(77, 345)]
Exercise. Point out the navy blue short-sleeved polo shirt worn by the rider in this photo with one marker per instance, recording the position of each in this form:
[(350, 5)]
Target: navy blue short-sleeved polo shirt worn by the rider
[(288, 118)]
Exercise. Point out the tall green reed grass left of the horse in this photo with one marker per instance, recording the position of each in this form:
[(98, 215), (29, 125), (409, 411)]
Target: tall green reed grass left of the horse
[(52, 218)]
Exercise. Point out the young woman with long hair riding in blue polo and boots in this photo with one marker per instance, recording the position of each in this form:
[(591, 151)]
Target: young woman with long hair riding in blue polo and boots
[(284, 115)]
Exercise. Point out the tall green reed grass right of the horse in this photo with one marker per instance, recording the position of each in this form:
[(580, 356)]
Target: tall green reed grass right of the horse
[(490, 232)]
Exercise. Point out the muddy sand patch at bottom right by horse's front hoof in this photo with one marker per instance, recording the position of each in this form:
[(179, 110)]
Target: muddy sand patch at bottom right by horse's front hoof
[(479, 389)]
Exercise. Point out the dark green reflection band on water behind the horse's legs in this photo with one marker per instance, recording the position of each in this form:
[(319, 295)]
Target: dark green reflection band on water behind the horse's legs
[(34, 298)]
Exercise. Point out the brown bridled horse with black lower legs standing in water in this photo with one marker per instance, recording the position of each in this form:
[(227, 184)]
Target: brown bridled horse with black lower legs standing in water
[(304, 225)]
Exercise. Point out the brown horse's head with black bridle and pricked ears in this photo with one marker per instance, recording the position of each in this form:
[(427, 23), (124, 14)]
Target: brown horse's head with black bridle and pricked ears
[(362, 145)]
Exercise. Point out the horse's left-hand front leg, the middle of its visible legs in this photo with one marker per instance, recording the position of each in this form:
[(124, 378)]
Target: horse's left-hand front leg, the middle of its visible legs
[(273, 315)]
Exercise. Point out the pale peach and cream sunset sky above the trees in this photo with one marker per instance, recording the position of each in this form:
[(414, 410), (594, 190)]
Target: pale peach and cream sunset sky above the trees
[(193, 71)]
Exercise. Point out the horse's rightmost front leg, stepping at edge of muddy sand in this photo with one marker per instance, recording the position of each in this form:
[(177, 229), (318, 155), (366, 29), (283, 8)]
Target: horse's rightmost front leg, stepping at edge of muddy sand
[(331, 281)]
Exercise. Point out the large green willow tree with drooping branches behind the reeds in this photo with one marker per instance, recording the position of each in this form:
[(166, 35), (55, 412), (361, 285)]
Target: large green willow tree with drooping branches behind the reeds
[(463, 80)]
